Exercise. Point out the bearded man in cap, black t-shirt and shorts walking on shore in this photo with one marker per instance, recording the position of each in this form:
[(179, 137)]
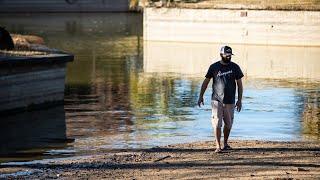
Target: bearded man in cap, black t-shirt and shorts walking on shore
[(225, 75)]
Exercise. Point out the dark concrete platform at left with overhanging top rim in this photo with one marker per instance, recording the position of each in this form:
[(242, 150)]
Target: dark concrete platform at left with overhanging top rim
[(30, 81)]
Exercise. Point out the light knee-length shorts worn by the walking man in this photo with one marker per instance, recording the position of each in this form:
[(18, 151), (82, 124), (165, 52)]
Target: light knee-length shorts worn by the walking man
[(222, 112)]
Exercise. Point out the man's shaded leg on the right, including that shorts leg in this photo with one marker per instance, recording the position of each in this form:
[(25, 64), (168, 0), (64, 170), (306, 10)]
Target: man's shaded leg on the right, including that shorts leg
[(228, 121)]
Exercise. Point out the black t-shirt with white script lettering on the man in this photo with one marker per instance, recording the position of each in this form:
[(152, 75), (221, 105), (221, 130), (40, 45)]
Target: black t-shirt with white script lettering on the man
[(224, 81)]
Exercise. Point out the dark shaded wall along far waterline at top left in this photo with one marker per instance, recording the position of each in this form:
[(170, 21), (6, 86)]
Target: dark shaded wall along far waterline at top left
[(63, 5)]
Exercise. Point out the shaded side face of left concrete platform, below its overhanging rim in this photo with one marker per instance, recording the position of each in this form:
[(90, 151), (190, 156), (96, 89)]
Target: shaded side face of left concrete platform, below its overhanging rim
[(20, 90)]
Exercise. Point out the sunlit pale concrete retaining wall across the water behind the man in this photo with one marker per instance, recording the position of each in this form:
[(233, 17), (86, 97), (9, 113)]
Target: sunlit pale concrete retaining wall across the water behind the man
[(299, 28)]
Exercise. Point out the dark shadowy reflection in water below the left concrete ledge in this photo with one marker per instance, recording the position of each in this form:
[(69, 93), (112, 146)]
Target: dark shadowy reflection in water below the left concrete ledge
[(32, 134)]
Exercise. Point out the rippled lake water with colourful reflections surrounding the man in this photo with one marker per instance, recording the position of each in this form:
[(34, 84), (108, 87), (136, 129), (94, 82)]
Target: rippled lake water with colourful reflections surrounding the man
[(122, 92)]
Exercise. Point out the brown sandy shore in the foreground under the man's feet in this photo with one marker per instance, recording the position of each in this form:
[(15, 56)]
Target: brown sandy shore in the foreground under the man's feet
[(248, 159)]
